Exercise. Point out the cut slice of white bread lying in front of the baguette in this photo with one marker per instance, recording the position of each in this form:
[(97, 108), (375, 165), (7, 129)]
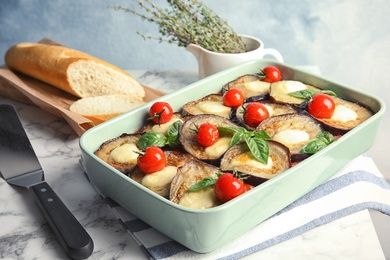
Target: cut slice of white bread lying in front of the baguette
[(102, 108)]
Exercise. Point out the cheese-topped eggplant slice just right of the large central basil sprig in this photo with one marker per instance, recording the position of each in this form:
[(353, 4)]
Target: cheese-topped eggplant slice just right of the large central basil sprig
[(292, 130)]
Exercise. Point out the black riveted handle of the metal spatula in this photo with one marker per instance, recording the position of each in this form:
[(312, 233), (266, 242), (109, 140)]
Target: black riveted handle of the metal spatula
[(69, 232)]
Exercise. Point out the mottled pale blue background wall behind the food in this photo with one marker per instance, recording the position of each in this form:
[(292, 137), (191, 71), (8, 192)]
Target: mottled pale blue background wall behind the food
[(348, 39)]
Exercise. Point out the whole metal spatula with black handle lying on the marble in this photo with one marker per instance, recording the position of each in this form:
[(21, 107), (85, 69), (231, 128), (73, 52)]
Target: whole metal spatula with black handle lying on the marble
[(20, 166)]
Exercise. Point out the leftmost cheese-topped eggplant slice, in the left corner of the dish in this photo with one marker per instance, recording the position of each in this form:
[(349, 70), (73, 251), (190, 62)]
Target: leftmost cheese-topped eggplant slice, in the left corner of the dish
[(120, 152)]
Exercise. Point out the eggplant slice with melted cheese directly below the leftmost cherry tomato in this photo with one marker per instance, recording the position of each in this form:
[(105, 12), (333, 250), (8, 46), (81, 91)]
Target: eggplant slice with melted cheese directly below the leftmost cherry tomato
[(160, 182)]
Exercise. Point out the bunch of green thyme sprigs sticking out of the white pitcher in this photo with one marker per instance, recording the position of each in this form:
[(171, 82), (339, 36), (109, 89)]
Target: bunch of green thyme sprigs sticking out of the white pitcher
[(189, 21)]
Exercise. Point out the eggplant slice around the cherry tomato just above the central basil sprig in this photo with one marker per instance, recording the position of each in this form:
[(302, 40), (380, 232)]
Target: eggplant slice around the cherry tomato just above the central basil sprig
[(274, 109)]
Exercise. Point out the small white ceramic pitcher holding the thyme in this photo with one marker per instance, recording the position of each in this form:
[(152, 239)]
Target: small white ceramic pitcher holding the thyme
[(210, 62)]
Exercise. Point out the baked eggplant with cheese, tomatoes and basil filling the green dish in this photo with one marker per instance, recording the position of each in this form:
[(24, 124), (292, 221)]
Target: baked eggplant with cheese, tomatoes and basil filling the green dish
[(227, 143)]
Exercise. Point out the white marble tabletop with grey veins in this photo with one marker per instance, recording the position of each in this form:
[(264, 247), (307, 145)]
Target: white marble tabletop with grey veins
[(24, 234)]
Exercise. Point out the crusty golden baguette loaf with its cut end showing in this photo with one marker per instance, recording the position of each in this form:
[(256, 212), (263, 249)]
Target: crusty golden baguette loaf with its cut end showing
[(72, 71)]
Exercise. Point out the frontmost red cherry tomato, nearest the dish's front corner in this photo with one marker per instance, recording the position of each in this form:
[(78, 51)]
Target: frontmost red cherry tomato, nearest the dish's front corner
[(228, 187)]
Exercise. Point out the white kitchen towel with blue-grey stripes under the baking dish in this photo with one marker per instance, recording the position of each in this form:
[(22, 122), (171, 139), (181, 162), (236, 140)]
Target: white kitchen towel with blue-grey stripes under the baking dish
[(359, 185)]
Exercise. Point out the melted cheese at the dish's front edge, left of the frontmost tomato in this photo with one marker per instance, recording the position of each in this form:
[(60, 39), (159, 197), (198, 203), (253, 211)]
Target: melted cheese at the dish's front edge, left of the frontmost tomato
[(201, 199)]
